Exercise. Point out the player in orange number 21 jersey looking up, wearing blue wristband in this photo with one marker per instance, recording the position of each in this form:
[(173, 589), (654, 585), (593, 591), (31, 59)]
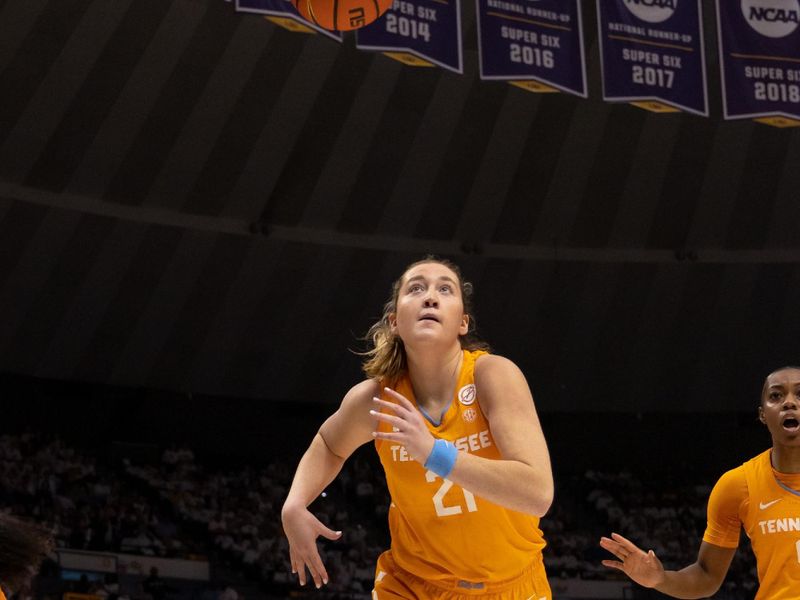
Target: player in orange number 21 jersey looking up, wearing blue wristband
[(457, 434)]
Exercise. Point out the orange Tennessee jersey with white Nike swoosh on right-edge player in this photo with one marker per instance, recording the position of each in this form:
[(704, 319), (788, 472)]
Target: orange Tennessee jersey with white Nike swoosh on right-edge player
[(767, 504)]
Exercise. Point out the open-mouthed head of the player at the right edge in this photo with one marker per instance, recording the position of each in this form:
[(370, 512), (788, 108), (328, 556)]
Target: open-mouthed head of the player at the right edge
[(780, 406)]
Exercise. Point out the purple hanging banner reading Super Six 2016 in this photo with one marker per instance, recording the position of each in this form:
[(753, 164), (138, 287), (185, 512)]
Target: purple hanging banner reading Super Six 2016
[(534, 45)]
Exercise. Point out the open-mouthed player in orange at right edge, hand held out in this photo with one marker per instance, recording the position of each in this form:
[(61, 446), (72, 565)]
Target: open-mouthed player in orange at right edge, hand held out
[(762, 495)]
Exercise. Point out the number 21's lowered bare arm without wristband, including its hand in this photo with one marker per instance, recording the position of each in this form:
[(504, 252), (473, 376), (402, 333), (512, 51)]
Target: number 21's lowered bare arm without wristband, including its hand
[(345, 430)]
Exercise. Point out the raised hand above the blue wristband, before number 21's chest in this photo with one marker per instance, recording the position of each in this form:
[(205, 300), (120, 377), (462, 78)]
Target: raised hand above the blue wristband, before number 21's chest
[(409, 426)]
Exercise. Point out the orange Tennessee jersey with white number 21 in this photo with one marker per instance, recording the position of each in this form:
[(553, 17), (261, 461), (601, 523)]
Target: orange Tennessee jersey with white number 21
[(442, 532)]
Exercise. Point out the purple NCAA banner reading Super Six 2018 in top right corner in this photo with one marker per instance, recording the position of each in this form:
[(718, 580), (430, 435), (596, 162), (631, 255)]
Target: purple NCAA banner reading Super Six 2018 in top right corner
[(759, 49)]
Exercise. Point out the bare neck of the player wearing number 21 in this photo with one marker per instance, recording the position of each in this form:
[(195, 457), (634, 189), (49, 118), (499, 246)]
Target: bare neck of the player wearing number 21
[(434, 376)]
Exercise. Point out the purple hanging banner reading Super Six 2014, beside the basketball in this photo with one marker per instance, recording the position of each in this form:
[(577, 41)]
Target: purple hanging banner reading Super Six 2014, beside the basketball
[(420, 33)]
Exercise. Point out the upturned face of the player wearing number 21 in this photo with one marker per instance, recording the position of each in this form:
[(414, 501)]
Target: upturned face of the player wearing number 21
[(429, 305)]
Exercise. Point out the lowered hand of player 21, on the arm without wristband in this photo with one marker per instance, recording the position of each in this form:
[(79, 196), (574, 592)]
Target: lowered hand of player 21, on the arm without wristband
[(302, 529)]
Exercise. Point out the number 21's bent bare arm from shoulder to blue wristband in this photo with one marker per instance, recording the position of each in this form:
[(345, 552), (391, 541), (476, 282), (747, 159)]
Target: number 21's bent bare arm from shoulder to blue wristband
[(522, 480)]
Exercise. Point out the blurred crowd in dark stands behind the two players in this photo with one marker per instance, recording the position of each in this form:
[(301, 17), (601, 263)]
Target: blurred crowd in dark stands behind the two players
[(180, 507)]
